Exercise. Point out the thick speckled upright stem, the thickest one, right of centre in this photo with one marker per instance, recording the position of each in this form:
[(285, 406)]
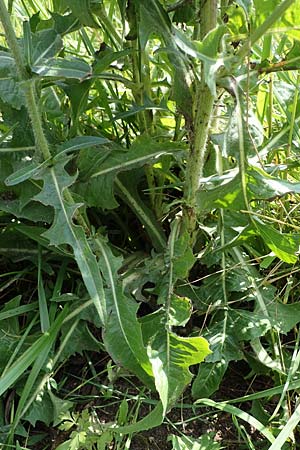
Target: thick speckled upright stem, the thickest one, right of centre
[(202, 112)]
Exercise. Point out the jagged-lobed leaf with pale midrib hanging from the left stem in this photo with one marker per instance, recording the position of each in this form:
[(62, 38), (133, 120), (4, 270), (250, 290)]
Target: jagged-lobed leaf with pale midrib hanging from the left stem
[(63, 230)]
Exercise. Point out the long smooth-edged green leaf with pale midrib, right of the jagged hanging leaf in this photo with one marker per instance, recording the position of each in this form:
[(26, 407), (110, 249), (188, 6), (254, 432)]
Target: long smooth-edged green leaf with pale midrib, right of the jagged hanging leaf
[(122, 334)]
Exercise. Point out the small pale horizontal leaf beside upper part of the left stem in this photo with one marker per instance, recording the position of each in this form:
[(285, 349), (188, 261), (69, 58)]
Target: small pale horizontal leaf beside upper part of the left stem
[(62, 68)]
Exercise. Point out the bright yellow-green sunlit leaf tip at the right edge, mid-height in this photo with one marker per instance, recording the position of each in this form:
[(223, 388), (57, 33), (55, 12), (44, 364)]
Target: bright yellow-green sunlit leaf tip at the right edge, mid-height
[(283, 245)]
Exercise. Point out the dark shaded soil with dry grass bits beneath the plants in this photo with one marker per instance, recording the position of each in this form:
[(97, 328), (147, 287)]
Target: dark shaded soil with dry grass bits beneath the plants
[(190, 421)]
